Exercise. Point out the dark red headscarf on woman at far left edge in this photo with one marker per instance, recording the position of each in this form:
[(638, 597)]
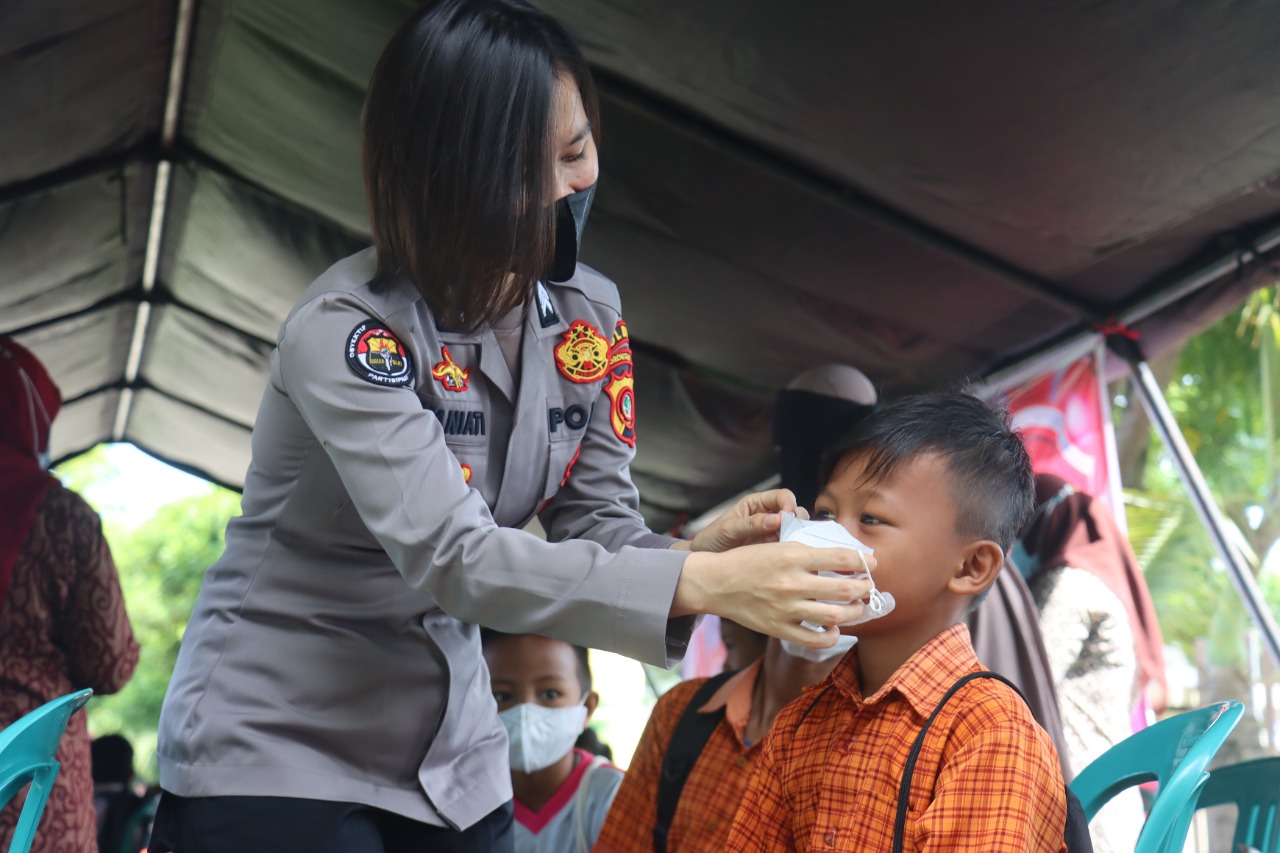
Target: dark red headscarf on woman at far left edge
[(29, 404)]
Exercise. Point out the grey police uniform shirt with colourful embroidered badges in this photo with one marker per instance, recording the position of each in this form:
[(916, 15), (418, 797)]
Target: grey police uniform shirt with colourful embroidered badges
[(333, 650)]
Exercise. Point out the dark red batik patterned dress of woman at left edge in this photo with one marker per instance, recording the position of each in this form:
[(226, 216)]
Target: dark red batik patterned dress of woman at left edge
[(63, 628)]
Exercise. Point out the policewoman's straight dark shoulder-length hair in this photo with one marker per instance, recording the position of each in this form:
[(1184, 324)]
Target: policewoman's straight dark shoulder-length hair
[(458, 154)]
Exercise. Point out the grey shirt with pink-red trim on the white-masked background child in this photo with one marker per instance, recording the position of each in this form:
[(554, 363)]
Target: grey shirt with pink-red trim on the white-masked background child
[(577, 810)]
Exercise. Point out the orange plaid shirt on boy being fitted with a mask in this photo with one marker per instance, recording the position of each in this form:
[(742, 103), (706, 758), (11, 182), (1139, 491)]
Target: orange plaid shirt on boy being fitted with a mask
[(988, 778)]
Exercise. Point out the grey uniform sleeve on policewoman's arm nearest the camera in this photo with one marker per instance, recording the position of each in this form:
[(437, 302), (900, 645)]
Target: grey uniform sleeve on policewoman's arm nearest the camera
[(409, 491)]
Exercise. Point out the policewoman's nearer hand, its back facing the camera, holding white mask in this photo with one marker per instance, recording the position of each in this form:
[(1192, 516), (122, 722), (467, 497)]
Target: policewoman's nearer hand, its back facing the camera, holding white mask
[(772, 589)]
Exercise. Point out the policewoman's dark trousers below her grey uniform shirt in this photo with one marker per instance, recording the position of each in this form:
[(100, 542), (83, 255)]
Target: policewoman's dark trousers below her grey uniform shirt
[(289, 825)]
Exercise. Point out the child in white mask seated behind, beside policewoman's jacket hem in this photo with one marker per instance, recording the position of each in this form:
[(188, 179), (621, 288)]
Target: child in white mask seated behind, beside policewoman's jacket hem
[(543, 690)]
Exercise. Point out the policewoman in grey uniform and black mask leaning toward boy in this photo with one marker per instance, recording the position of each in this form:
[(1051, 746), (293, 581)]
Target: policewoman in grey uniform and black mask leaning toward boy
[(427, 399)]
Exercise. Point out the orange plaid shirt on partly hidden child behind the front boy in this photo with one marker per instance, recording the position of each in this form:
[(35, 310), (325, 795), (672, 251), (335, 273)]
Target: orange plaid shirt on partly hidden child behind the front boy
[(716, 783)]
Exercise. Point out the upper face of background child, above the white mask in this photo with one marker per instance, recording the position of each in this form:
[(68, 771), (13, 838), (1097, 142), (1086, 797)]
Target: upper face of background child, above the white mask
[(537, 670)]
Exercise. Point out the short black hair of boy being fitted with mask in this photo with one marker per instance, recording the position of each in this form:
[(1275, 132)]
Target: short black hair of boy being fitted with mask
[(993, 482)]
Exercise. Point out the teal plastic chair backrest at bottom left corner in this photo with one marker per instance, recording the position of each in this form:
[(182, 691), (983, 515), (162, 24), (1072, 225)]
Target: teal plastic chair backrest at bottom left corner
[(28, 751)]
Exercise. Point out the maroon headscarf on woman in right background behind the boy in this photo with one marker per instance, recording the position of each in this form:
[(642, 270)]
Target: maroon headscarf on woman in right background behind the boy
[(1082, 533)]
